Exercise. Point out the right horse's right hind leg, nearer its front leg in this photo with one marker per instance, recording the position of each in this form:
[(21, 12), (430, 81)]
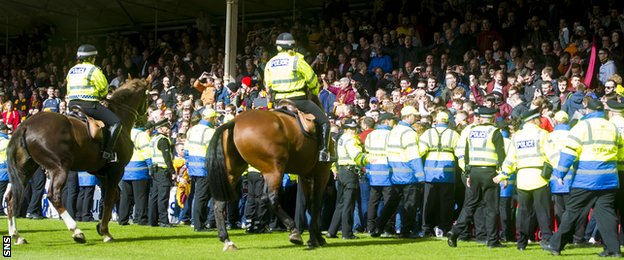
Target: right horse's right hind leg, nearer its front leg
[(274, 181)]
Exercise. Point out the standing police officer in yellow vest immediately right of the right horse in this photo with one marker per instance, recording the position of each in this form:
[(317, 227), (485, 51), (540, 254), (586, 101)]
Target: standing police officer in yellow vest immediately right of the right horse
[(351, 157)]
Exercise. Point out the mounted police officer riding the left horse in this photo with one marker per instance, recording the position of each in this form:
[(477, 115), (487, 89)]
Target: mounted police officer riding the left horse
[(86, 86)]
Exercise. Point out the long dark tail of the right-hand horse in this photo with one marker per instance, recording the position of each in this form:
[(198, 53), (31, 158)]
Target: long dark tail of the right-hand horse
[(220, 187)]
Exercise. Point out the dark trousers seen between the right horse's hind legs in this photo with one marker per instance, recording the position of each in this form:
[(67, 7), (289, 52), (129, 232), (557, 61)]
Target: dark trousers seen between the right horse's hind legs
[(256, 209)]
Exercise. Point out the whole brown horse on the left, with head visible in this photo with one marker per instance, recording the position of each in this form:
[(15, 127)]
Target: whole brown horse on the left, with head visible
[(59, 144)]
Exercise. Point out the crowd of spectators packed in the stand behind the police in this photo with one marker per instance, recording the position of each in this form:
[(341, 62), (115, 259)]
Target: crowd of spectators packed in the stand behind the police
[(434, 55)]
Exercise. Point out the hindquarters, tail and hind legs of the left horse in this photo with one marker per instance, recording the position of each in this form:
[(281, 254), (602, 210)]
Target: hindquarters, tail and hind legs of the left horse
[(51, 141)]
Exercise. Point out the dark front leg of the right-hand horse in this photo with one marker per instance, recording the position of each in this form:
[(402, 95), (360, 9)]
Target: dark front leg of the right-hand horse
[(321, 177)]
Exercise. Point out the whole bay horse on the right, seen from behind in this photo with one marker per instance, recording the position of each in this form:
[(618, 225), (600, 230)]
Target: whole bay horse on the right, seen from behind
[(273, 143)]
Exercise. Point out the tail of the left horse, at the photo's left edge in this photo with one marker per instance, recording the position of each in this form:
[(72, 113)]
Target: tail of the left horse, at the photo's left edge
[(17, 147)]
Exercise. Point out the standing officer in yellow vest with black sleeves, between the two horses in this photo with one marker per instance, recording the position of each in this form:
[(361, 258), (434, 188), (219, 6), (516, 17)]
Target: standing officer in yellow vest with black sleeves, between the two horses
[(162, 176)]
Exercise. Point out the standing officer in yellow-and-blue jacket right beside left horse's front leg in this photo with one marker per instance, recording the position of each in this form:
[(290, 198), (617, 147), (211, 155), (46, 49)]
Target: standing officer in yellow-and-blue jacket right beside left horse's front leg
[(135, 181)]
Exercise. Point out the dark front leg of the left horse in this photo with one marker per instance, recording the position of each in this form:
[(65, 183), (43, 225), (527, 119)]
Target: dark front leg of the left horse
[(111, 194)]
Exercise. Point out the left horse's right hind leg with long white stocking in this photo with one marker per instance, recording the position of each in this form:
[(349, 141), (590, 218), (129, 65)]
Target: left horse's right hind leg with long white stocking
[(58, 177)]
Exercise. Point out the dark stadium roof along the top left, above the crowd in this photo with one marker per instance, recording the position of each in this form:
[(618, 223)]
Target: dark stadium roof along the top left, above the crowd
[(95, 16)]
